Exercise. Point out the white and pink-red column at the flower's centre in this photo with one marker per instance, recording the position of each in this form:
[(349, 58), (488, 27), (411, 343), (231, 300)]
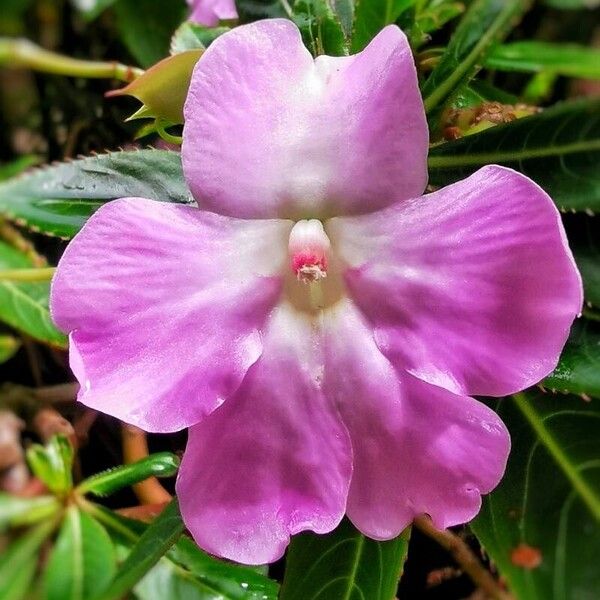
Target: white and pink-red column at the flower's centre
[(308, 250)]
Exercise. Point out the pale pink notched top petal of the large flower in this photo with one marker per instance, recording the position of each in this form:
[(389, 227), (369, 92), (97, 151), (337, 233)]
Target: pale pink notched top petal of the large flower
[(271, 132)]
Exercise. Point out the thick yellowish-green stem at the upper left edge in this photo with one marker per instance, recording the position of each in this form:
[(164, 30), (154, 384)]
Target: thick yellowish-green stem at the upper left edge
[(19, 52)]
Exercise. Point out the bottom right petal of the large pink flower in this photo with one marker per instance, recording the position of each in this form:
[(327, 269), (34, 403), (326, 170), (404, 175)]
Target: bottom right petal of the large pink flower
[(417, 448)]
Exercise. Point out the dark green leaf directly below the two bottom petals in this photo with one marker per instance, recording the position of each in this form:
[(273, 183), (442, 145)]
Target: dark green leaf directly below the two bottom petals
[(343, 564)]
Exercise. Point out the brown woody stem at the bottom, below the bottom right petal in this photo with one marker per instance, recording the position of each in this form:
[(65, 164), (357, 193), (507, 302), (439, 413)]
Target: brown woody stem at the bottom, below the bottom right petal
[(464, 556)]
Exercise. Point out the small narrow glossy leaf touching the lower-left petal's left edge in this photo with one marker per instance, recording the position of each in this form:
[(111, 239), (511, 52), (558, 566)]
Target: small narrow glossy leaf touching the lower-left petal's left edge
[(161, 464)]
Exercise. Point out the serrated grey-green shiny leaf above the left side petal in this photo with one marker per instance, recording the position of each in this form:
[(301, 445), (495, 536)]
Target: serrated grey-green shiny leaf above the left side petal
[(58, 199)]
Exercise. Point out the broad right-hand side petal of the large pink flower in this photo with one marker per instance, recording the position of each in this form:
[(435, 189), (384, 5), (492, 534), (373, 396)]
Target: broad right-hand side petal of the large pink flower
[(472, 288)]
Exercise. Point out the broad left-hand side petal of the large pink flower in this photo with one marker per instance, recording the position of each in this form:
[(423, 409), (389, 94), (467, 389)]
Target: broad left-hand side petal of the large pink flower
[(163, 304)]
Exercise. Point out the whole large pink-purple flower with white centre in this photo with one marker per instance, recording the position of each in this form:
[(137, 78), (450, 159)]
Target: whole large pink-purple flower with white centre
[(318, 323)]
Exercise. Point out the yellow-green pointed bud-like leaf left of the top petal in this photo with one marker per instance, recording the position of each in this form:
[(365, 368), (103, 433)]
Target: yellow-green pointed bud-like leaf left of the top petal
[(162, 89)]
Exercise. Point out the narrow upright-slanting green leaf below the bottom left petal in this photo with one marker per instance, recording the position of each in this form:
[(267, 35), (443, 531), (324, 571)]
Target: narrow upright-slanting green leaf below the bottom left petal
[(152, 545)]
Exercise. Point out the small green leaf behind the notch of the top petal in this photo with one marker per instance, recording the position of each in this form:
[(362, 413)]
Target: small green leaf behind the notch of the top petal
[(320, 27)]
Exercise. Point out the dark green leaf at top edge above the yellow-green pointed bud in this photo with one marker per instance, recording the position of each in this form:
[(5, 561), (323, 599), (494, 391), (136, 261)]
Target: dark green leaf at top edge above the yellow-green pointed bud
[(146, 27)]
